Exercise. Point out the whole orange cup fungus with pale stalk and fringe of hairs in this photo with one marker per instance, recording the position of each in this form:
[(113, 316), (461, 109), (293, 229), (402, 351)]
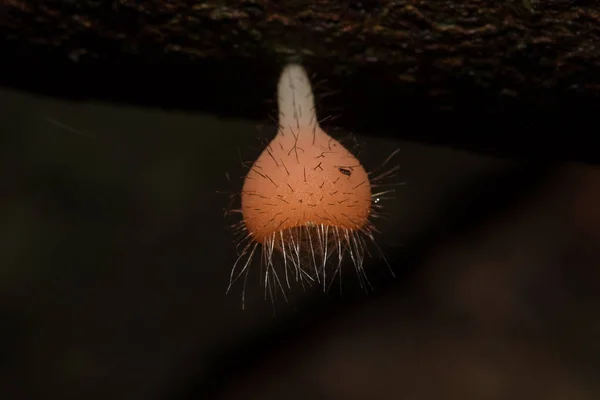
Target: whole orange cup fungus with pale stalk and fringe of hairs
[(307, 203)]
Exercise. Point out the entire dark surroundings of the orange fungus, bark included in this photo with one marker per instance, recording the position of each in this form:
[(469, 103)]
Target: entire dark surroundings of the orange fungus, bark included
[(121, 121)]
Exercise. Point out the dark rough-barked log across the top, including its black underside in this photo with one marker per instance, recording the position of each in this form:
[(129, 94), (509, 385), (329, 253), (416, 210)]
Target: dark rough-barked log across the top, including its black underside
[(524, 72)]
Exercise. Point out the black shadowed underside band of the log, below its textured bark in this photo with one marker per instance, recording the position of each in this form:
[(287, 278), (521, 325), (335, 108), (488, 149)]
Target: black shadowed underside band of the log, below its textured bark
[(541, 125)]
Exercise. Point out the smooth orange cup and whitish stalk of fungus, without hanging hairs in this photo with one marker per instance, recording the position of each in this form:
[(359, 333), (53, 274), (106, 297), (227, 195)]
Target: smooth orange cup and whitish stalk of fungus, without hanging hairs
[(303, 177)]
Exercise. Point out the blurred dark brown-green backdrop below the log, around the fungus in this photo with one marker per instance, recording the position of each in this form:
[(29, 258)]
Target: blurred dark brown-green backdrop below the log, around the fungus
[(115, 257)]
